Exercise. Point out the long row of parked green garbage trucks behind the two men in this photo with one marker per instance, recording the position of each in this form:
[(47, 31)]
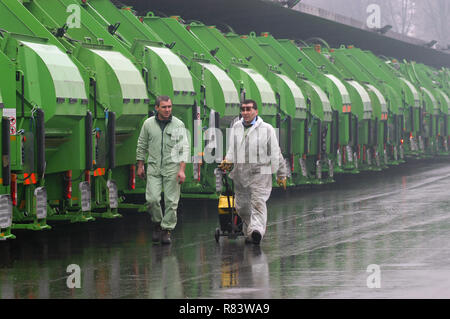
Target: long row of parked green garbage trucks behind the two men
[(79, 77)]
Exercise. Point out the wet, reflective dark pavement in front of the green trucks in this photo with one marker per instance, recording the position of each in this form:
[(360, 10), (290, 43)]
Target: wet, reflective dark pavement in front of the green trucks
[(319, 244)]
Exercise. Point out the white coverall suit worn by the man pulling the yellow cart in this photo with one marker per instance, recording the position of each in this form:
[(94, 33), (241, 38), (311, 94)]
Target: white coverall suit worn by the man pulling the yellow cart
[(256, 155)]
